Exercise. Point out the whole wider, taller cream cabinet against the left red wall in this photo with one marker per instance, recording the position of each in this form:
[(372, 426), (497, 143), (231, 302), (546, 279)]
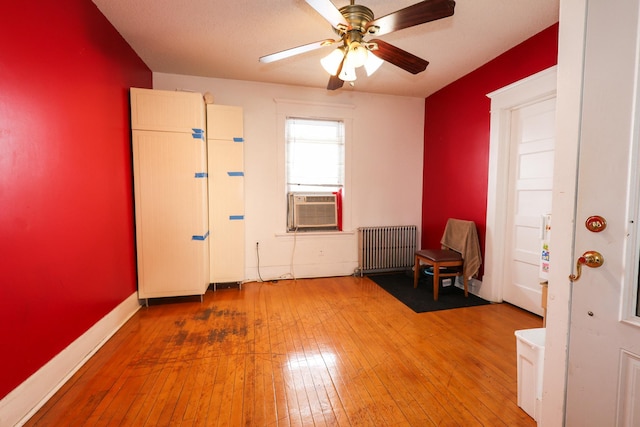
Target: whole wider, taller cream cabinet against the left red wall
[(170, 188)]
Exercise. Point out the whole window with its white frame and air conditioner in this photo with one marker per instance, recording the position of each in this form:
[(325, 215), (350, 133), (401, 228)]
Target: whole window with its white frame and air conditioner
[(313, 155)]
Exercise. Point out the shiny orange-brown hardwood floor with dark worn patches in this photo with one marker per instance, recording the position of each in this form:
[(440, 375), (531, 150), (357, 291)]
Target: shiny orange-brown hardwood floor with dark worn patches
[(313, 352)]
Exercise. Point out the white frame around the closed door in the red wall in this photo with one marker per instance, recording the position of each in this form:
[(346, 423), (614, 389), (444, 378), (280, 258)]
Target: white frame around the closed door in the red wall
[(535, 88)]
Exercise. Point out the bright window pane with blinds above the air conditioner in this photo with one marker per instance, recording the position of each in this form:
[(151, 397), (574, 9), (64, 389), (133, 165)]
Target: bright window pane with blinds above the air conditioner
[(314, 155)]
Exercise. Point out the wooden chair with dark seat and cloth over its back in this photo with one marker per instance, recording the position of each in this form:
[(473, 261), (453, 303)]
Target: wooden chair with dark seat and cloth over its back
[(458, 256)]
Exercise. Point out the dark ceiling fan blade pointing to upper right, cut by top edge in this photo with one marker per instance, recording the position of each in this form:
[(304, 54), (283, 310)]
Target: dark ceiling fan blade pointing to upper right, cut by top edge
[(419, 13)]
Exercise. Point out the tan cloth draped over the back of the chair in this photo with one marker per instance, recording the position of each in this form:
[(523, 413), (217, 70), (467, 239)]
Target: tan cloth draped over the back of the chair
[(462, 237)]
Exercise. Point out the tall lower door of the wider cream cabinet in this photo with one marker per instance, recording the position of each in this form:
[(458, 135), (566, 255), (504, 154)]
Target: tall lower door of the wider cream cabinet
[(171, 214)]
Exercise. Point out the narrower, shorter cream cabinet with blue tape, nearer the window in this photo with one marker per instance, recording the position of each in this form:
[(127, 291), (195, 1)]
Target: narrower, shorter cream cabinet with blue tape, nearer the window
[(226, 193)]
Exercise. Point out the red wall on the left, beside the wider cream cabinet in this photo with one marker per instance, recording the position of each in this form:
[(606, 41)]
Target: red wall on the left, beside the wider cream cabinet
[(66, 212)]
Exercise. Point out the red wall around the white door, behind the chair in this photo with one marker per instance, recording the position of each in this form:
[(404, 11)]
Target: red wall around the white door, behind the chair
[(456, 136)]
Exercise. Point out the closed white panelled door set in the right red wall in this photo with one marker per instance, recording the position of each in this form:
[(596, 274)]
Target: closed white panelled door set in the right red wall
[(530, 192)]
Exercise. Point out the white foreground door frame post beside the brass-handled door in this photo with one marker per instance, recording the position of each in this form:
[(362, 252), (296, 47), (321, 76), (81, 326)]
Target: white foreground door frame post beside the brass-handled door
[(571, 55)]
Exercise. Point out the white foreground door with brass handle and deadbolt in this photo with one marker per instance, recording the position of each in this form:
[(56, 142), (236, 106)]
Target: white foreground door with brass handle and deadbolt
[(603, 384)]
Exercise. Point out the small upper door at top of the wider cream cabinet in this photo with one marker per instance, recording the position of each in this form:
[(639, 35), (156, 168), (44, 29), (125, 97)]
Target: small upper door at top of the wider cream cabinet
[(165, 110)]
